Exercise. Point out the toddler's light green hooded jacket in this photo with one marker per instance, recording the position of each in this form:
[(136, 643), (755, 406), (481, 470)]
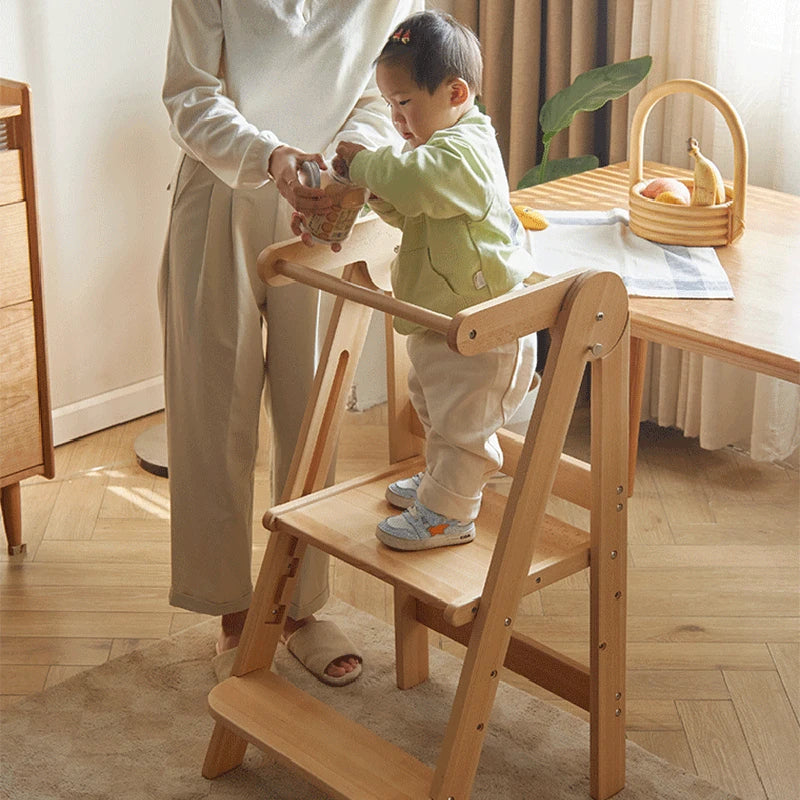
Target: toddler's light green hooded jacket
[(449, 196)]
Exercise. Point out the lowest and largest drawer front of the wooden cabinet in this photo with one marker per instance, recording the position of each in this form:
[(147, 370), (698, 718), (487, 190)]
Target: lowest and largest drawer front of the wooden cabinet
[(21, 441)]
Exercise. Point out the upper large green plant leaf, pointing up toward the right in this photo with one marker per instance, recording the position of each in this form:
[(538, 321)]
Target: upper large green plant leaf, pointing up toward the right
[(590, 91)]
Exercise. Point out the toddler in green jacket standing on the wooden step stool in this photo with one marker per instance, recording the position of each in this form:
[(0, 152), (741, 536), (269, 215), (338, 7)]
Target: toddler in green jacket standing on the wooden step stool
[(448, 193)]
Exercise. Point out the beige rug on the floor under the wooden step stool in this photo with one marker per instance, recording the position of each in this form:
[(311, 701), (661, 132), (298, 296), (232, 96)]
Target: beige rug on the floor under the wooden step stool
[(136, 728)]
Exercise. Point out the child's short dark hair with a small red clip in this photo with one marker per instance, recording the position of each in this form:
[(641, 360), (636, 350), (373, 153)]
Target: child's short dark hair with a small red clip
[(436, 47)]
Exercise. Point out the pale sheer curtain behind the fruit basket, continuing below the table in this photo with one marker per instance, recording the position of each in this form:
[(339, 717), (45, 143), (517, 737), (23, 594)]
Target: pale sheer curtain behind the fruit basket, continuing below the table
[(753, 58)]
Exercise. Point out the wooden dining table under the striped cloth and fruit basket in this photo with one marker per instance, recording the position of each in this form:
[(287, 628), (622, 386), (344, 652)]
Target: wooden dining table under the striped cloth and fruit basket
[(759, 329)]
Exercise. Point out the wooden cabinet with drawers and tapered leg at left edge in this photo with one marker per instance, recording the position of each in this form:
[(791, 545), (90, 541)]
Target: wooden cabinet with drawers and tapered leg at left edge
[(26, 435)]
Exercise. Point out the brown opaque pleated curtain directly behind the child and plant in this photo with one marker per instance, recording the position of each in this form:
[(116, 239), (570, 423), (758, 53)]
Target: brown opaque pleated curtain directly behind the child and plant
[(534, 48)]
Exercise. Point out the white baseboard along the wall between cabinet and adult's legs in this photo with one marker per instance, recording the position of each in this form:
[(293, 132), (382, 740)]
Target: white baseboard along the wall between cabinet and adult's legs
[(104, 410)]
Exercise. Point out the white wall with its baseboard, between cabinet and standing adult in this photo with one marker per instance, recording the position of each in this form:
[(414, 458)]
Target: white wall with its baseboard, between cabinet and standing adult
[(103, 162)]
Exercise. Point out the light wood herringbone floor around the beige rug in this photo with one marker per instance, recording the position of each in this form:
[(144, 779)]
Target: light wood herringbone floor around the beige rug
[(714, 604)]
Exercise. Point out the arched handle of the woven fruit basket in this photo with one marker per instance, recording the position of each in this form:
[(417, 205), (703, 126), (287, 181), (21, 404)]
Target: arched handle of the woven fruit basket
[(709, 93)]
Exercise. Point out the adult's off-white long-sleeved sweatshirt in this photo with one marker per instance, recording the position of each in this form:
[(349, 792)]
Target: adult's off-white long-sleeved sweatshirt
[(243, 77)]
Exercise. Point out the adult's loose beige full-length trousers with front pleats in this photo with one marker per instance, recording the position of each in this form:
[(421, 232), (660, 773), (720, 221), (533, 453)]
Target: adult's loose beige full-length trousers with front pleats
[(213, 305)]
